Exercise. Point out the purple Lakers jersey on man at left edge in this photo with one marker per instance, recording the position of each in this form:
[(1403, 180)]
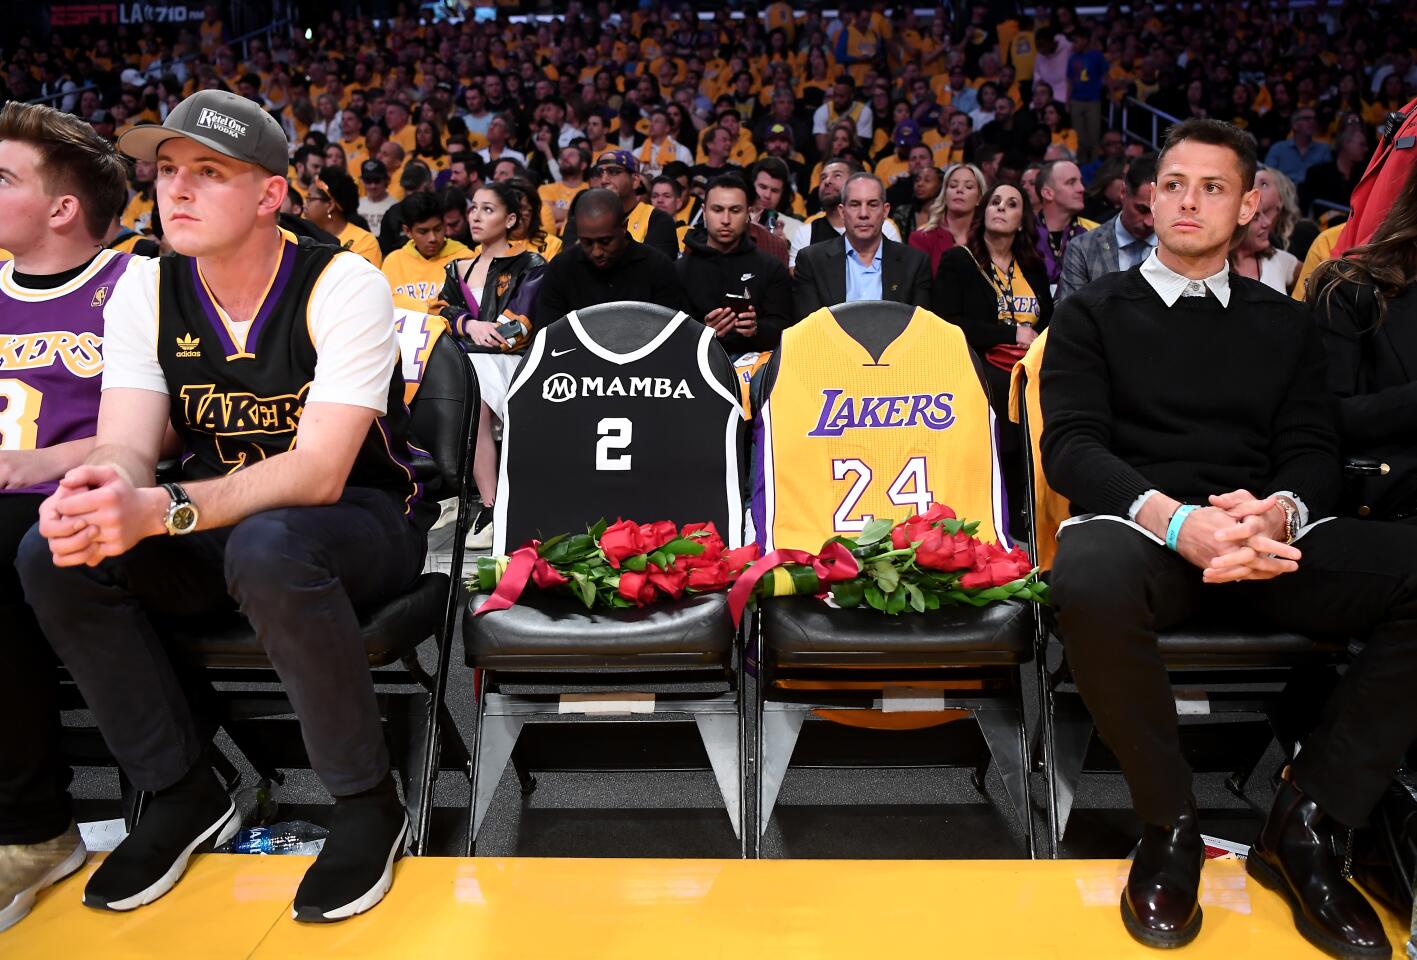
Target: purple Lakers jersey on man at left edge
[(52, 358)]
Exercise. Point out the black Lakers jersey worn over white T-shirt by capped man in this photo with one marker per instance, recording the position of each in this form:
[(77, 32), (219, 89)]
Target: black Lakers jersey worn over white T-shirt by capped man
[(235, 403)]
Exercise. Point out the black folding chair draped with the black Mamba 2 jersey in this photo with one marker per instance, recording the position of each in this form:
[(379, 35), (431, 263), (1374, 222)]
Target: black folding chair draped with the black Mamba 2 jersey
[(549, 656)]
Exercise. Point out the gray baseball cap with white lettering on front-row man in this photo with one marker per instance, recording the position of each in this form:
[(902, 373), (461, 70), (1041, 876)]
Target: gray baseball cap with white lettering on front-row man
[(230, 125)]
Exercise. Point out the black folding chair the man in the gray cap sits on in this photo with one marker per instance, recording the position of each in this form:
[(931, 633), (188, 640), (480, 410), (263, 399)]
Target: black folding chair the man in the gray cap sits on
[(417, 722)]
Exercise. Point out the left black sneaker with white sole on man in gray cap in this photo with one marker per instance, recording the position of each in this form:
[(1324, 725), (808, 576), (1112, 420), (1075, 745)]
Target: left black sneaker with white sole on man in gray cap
[(192, 816)]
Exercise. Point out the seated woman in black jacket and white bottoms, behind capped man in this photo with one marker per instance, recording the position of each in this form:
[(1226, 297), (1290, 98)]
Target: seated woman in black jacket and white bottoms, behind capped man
[(488, 300)]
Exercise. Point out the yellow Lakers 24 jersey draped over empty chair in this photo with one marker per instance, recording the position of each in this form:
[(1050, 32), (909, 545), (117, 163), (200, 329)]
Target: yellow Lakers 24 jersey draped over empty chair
[(845, 439)]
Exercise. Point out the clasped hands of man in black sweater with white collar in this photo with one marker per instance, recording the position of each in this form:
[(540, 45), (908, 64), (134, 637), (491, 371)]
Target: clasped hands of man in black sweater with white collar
[(1236, 538)]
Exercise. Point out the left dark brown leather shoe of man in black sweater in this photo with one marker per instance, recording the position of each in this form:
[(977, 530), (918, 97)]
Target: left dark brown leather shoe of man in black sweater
[(1160, 905)]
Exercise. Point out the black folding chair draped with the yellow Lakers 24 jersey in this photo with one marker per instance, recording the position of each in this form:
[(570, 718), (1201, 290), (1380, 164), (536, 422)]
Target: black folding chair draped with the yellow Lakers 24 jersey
[(864, 657)]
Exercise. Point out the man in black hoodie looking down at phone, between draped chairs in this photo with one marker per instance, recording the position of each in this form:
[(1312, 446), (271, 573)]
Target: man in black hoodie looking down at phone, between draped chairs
[(721, 259)]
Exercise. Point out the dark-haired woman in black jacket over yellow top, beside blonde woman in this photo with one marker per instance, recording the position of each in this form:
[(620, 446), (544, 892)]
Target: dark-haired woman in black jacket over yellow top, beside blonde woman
[(997, 290)]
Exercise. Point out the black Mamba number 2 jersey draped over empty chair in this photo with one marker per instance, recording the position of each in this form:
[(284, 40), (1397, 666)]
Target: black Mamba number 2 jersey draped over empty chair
[(645, 436)]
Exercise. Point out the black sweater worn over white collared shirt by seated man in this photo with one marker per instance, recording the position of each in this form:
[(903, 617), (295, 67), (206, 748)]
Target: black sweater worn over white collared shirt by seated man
[(1192, 401)]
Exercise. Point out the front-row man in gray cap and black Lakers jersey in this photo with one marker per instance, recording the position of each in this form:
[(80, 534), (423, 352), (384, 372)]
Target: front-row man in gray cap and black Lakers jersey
[(277, 364)]
